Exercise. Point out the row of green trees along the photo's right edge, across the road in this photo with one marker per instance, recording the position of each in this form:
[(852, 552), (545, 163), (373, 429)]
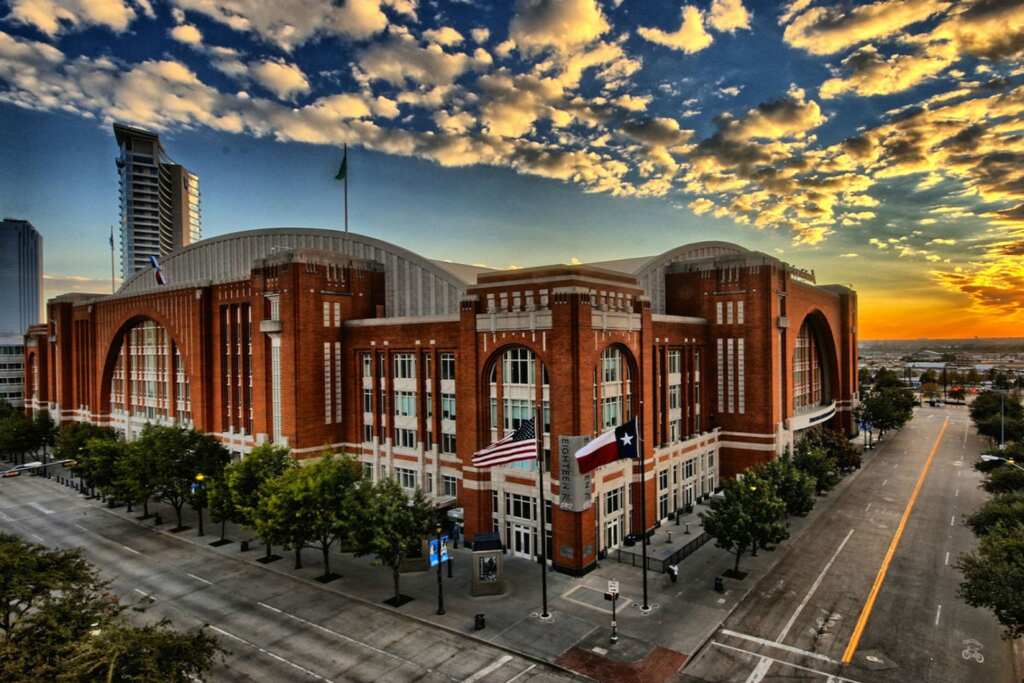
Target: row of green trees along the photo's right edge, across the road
[(994, 574)]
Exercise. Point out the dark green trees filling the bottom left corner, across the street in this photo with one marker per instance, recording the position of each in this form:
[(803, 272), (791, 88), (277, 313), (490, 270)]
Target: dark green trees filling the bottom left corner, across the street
[(60, 623)]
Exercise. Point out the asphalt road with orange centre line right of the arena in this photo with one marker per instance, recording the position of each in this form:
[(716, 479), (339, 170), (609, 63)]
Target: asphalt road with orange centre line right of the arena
[(800, 621)]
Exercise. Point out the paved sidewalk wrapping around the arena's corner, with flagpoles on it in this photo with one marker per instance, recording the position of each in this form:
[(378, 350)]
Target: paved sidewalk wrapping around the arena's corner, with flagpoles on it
[(652, 648)]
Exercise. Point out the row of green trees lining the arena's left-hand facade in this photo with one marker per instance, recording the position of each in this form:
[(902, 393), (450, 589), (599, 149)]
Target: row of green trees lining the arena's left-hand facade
[(322, 506)]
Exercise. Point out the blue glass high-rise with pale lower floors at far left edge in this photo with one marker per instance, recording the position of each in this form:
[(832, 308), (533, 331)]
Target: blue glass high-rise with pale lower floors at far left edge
[(22, 284)]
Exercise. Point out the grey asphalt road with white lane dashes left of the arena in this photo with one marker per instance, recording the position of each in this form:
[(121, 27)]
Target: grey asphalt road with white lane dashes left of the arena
[(276, 628)]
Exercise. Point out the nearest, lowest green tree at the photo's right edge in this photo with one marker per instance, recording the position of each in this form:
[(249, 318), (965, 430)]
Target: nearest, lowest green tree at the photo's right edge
[(994, 577)]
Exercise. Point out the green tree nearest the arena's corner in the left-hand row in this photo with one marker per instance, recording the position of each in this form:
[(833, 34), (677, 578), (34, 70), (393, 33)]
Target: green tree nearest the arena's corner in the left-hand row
[(389, 525)]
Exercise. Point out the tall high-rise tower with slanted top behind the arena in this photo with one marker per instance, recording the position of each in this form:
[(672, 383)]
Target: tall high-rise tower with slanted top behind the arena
[(160, 200)]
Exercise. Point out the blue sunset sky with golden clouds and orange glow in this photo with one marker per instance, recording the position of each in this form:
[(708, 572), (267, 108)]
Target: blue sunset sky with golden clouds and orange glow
[(881, 145)]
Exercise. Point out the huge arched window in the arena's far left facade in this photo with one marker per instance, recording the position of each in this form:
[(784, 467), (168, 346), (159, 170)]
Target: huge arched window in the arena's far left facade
[(148, 375)]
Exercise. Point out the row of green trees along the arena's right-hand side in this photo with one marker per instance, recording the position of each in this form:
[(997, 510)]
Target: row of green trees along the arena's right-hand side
[(753, 510)]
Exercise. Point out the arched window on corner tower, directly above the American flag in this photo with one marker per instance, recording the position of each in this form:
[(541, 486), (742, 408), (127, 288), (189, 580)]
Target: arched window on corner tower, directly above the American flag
[(514, 394)]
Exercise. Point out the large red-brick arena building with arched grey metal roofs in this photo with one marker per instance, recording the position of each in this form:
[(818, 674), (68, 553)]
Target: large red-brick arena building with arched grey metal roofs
[(331, 341)]
